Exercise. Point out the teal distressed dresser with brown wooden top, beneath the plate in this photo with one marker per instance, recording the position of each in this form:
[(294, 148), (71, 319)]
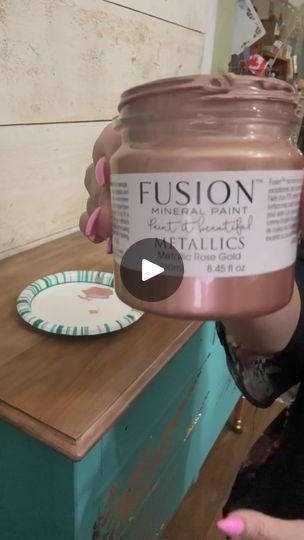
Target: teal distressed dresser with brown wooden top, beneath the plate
[(101, 438)]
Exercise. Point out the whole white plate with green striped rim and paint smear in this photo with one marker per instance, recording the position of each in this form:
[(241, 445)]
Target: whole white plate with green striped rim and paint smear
[(76, 303)]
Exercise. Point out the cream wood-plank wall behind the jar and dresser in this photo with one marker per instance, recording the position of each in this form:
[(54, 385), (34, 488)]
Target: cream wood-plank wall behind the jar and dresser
[(63, 65)]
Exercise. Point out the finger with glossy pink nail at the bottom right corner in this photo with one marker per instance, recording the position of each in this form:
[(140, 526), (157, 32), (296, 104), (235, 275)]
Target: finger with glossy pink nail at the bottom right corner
[(249, 525)]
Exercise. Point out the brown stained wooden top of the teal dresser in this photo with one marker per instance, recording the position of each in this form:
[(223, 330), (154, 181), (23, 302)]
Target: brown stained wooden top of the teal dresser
[(67, 392)]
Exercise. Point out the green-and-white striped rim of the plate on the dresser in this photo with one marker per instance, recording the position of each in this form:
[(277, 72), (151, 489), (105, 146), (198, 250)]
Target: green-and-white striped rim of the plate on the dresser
[(25, 299)]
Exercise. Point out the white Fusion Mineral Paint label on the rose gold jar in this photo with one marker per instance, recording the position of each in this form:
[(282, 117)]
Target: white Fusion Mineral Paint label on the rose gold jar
[(222, 223)]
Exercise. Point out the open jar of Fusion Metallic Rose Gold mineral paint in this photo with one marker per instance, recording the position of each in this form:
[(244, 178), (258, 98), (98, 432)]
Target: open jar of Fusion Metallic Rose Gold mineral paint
[(207, 164)]
